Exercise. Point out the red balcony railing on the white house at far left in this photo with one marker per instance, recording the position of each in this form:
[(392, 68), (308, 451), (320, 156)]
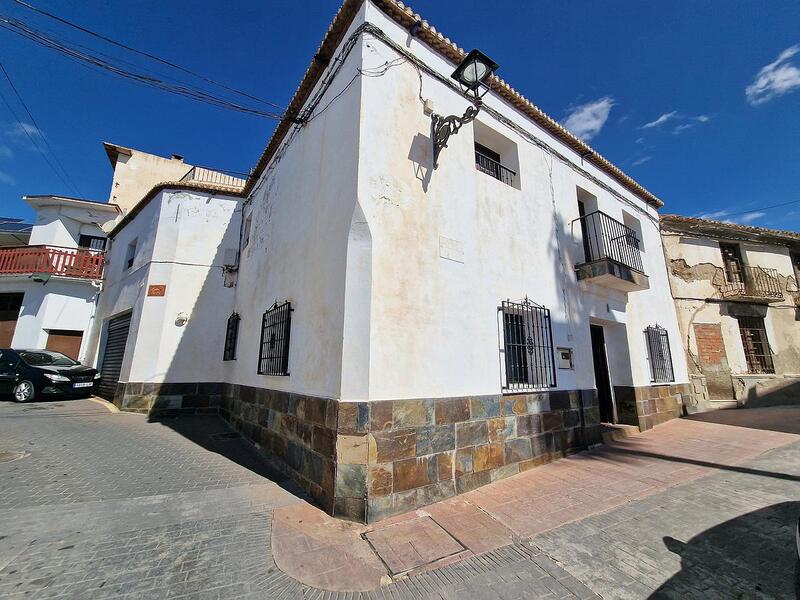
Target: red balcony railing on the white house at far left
[(53, 260)]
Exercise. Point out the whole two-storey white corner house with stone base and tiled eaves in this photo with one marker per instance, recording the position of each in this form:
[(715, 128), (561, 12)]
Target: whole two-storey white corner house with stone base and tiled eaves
[(391, 332)]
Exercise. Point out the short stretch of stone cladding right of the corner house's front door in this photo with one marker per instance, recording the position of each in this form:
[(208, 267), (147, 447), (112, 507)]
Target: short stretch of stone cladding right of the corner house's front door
[(652, 405)]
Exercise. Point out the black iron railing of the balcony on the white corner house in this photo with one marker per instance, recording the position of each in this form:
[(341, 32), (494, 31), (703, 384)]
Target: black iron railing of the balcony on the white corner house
[(605, 237)]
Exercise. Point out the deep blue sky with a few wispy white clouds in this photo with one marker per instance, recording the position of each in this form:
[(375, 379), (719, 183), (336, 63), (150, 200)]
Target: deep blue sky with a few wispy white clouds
[(698, 101)]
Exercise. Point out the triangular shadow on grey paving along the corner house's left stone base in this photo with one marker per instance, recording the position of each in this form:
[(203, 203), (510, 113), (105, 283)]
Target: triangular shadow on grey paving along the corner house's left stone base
[(213, 434)]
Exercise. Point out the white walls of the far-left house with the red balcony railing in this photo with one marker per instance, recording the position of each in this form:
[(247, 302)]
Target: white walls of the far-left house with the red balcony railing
[(57, 302)]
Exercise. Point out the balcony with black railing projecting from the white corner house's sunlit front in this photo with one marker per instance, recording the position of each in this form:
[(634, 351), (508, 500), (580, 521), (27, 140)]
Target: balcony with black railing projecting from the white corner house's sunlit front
[(612, 257)]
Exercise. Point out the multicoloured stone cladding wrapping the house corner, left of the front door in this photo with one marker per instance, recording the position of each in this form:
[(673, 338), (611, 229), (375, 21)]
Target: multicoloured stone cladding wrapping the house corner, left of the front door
[(366, 461)]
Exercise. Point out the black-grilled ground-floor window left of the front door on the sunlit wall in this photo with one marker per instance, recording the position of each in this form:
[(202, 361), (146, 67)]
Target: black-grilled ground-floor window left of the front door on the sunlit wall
[(527, 346)]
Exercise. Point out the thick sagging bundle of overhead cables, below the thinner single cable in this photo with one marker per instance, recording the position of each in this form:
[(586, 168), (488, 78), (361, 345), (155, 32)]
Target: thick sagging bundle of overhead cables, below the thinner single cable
[(92, 60)]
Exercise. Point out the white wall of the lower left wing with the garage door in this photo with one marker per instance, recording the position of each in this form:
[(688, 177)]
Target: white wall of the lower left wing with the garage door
[(181, 239)]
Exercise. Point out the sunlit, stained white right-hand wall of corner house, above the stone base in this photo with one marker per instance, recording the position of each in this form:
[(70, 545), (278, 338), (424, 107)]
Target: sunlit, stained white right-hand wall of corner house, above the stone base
[(449, 245)]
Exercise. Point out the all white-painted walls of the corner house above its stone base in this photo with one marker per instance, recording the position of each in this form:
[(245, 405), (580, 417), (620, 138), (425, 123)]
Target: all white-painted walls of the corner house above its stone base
[(395, 272)]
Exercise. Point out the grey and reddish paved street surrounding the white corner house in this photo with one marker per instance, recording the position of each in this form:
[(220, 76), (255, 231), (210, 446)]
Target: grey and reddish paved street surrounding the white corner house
[(100, 504)]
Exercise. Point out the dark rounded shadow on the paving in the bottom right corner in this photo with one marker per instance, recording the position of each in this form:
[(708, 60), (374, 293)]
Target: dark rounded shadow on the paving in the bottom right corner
[(751, 556)]
